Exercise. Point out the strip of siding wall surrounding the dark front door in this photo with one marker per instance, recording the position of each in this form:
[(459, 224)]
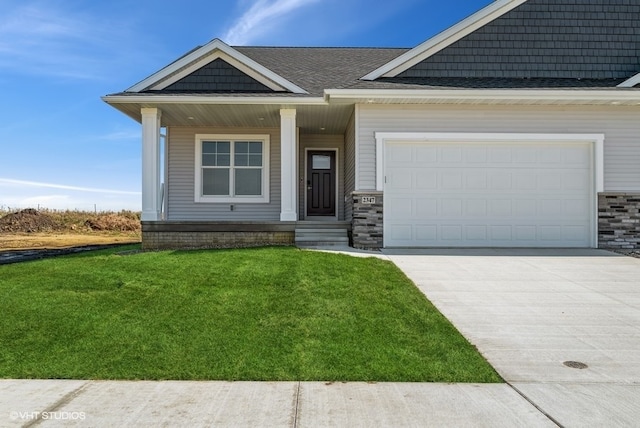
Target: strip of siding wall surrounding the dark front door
[(318, 141)]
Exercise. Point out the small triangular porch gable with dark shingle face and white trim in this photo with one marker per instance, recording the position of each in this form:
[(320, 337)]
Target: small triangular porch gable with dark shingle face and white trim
[(216, 65)]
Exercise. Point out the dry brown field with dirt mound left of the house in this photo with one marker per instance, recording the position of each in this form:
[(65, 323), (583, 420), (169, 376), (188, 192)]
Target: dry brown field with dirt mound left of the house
[(44, 228)]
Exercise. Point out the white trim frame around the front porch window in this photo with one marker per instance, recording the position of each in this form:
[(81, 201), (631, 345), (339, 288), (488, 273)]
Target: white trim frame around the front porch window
[(264, 198)]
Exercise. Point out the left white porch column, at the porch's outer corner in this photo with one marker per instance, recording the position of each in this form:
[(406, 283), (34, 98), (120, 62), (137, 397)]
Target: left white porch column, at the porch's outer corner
[(151, 164)]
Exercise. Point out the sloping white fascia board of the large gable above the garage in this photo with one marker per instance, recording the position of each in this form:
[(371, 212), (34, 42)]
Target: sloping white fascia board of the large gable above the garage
[(444, 39)]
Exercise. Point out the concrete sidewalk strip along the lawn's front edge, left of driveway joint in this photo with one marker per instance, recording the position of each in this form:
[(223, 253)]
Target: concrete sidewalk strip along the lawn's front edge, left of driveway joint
[(52, 403)]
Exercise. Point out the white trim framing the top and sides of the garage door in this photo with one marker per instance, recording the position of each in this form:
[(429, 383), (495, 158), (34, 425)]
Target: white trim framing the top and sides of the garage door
[(595, 141)]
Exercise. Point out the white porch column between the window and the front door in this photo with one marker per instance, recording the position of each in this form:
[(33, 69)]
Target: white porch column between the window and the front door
[(288, 165)]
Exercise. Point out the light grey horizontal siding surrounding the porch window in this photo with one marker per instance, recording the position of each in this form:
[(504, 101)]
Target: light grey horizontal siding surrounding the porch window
[(181, 203)]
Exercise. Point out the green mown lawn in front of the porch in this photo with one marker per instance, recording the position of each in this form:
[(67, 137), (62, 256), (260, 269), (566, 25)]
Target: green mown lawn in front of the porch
[(252, 314)]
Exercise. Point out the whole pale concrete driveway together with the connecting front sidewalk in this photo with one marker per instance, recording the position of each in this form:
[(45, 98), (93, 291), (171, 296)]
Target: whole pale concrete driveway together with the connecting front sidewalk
[(528, 311)]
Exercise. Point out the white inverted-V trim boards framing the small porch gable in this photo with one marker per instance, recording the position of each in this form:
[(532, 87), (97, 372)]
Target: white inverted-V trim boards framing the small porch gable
[(202, 56)]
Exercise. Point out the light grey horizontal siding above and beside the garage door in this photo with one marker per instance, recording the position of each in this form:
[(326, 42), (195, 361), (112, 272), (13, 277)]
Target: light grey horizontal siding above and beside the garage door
[(619, 124)]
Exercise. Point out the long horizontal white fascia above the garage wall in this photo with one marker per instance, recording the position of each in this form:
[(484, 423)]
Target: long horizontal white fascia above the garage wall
[(612, 96)]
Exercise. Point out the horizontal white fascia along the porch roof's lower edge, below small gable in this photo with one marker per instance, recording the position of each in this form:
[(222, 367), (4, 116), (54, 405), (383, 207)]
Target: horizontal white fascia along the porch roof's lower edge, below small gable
[(197, 99)]
